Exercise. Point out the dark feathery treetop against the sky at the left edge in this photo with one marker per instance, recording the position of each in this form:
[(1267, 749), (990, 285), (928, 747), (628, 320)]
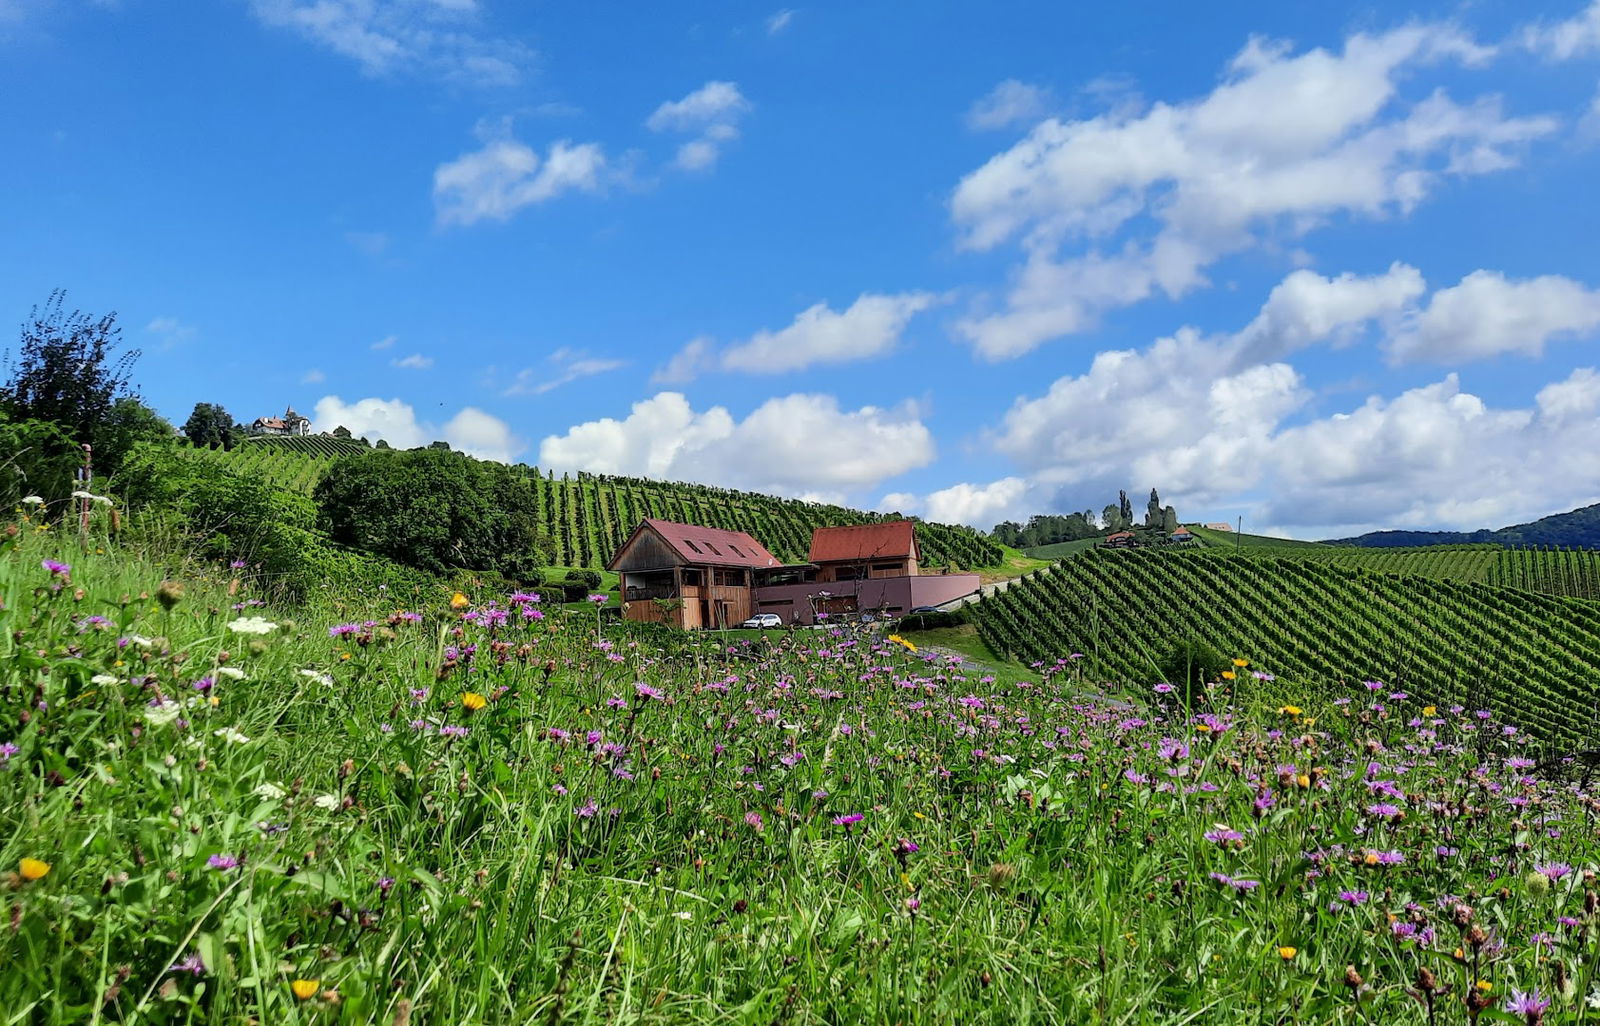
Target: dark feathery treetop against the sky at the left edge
[(68, 371)]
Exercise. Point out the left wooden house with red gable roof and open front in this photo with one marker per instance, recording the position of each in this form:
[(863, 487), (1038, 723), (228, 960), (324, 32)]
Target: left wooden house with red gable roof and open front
[(689, 577)]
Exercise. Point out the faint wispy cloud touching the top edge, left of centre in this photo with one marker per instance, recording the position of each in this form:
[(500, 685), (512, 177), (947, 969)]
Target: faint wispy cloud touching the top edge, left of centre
[(442, 39)]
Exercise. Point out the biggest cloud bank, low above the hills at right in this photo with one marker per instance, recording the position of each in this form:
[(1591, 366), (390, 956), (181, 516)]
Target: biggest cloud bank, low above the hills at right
[(1228, 422)]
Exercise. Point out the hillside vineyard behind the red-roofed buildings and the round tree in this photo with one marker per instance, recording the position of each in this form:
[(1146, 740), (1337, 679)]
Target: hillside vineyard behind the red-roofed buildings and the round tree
[(590, 516)]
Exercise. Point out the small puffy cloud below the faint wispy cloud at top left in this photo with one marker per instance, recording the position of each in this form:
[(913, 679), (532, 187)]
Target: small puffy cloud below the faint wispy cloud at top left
[(506, 175)]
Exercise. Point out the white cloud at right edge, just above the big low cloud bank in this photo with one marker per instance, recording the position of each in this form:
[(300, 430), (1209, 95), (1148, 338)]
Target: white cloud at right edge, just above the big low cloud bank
[(1487, 315)]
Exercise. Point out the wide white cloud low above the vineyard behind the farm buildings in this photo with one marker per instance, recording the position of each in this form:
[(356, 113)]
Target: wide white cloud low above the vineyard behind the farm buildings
[(791, 446)]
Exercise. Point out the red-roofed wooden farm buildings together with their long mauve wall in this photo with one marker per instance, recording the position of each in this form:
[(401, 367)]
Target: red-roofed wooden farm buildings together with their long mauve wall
[(700, 577)]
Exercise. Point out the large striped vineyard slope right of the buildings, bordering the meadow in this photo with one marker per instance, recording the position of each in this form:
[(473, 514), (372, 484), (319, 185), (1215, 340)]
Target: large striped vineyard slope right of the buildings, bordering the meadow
[(1537, 659)]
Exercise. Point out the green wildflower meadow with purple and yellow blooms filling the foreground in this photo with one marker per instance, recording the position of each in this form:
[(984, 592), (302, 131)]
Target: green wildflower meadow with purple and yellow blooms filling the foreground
[(489, 809)]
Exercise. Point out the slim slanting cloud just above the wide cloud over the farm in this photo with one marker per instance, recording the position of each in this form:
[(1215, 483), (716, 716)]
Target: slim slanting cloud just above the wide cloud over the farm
[(870, 327)]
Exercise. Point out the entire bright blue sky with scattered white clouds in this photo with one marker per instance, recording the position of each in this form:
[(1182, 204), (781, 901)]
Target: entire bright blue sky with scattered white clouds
[(1321, 267)]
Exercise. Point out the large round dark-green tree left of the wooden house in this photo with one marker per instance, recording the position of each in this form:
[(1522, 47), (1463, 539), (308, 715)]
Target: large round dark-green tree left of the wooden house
[(436, 511)]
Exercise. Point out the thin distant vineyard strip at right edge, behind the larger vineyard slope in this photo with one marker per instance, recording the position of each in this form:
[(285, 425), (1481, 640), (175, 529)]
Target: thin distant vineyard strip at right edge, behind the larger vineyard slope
[(1554, 572)]
